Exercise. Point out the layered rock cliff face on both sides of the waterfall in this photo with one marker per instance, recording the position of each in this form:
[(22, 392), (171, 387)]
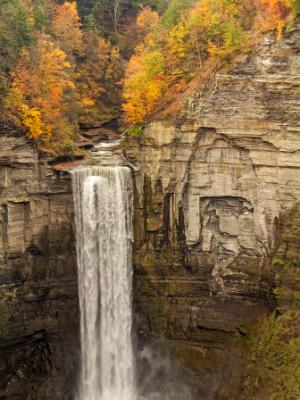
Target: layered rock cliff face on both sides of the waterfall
[(210, 195)]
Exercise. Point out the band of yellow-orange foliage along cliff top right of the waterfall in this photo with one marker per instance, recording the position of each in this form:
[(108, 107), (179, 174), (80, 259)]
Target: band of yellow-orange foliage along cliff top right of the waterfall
[(217, 30)]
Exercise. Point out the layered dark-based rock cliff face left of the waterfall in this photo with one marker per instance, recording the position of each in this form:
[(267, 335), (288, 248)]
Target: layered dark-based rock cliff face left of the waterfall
[(39, 345)]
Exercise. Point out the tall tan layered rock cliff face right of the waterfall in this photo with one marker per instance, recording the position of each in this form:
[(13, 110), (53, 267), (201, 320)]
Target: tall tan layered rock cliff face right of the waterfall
[(209, 192)]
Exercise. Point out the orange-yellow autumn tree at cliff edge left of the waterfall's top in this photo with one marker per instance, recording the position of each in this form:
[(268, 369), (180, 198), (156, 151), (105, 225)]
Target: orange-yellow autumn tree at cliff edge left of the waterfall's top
[(40, 84)]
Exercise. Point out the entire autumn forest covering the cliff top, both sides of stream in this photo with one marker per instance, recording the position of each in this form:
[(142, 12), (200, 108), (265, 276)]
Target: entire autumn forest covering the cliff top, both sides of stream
[(68, 63)]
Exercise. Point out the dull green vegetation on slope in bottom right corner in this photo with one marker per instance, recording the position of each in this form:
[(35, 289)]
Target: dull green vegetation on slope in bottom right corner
[(275, 353)]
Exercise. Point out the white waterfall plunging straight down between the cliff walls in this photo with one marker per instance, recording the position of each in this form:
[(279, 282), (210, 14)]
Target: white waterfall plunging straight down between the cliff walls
[(103, 215)]
